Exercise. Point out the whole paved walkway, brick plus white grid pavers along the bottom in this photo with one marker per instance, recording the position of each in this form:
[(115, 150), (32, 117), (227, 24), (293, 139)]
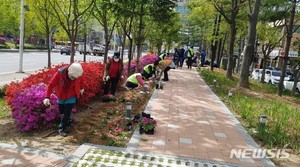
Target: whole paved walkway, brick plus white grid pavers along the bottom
[(194, 129)]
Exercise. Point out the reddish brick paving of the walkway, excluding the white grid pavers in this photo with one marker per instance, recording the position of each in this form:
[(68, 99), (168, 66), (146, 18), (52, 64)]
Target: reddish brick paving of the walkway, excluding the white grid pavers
[(193, 122)]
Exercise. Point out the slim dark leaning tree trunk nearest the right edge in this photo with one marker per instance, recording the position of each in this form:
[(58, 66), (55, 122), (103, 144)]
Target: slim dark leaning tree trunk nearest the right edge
[(287, 47)]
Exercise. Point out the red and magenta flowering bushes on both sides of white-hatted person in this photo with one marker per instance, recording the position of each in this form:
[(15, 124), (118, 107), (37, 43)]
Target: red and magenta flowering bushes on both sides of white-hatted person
[(25, 98)]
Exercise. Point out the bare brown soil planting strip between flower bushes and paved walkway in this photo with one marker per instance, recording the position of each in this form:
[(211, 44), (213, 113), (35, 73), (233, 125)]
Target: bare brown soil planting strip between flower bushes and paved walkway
[(95, 123)]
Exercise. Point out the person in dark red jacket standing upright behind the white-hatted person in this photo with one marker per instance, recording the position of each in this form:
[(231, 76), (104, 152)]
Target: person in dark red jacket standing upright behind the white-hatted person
[(113, 74)]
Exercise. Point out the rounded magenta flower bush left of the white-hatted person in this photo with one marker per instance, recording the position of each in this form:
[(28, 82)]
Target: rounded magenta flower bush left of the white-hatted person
[(30, 112)]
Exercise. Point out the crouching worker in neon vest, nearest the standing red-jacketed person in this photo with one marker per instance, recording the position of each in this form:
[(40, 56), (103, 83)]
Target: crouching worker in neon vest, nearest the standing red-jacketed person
[(134, 80)]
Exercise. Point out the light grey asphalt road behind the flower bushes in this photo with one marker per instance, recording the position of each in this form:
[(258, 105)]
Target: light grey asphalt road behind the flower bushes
[(9, 61)]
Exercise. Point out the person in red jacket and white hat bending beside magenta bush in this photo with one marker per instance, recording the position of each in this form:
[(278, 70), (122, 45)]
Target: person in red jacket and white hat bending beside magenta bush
[(67, 85)]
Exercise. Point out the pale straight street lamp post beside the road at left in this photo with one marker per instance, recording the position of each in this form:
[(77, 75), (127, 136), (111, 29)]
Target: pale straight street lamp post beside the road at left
[(21, 41)]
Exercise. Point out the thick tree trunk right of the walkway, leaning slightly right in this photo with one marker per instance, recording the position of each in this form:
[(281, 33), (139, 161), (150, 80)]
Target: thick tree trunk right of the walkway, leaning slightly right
[(244, 76)]
